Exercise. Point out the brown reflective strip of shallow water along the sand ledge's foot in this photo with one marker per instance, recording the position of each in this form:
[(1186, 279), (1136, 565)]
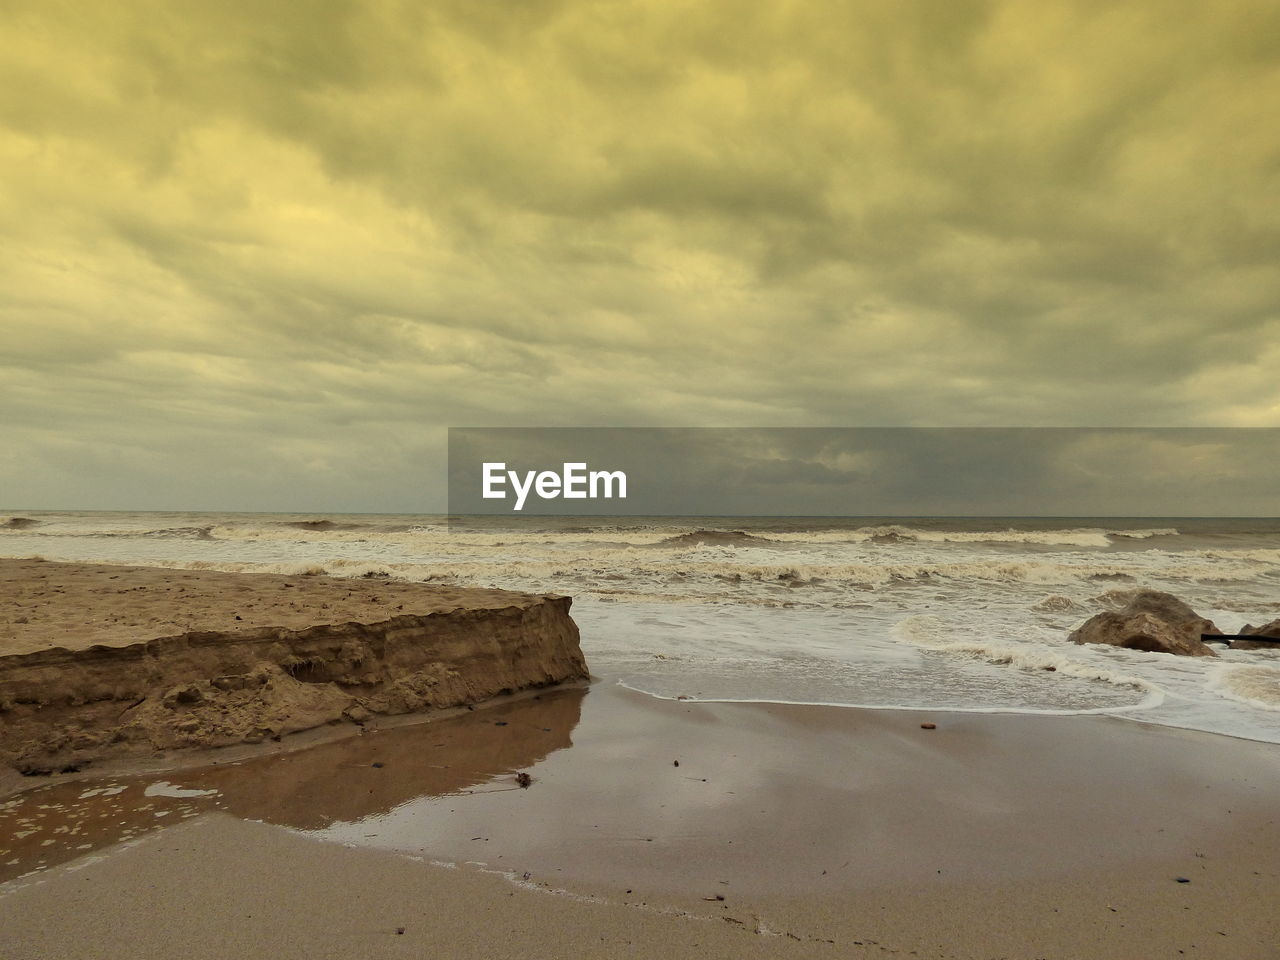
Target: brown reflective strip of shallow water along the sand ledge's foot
[(341, 781)]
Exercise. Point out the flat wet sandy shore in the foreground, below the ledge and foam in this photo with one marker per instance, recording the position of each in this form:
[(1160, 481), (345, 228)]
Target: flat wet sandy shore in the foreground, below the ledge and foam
[(989, 836)]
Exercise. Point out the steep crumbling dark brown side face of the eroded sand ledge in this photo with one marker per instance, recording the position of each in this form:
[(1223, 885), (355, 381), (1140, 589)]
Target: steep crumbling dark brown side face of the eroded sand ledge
[(63, 708)]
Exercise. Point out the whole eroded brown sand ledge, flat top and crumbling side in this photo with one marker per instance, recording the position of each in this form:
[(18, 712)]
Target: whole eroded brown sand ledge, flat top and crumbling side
[(107, 661)]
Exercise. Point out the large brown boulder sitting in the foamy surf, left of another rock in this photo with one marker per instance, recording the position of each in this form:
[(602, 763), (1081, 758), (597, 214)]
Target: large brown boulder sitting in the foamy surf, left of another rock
[(1149, 620)]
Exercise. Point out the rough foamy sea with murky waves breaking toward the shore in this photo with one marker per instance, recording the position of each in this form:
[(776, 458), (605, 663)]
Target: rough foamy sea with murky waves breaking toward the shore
[(962, 614)]
